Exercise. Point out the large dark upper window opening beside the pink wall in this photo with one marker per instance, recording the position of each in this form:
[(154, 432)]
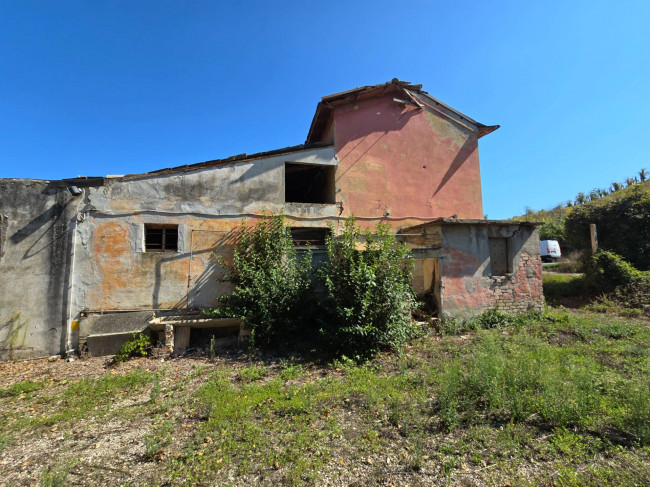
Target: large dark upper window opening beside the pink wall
[(308, 183)]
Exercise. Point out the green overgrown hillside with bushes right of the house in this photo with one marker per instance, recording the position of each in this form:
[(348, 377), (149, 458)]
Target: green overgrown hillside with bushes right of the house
[(617, 278)]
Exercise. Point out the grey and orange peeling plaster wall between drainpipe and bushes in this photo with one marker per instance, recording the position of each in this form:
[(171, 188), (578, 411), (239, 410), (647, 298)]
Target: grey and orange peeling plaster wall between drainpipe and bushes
[(115, 273)]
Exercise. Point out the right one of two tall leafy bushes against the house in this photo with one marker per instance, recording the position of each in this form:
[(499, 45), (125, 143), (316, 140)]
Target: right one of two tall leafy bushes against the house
[(369, 290)]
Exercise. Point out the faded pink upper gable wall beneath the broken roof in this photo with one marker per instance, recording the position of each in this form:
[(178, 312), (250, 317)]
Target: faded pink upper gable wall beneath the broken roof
[(416, 164)]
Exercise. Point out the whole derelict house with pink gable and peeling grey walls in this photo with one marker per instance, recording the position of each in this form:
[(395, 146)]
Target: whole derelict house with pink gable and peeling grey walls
[(87, 261)]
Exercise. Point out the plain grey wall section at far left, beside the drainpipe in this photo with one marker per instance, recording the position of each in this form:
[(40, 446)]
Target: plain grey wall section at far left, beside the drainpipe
[(37, 220)]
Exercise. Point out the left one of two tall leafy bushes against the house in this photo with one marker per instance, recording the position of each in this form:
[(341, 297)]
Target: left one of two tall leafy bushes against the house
[(271, 283)]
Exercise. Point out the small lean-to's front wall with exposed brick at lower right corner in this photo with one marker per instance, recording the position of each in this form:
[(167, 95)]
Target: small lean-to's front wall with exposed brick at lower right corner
[(467, 286)]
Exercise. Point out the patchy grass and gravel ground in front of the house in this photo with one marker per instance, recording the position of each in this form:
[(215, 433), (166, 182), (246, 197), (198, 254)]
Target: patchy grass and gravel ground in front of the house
[(554, 399)]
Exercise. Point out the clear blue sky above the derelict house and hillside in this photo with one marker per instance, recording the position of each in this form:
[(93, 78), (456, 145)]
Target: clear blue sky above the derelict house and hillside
[(115, 87)]
